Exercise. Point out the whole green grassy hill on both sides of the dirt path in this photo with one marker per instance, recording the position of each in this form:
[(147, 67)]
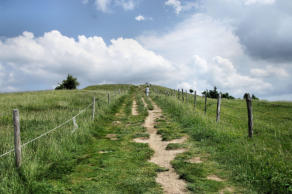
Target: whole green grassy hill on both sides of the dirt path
[(73, 160)]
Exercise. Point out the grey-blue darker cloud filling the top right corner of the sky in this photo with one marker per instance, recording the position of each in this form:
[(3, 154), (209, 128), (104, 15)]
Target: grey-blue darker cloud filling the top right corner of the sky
[(264, 27)]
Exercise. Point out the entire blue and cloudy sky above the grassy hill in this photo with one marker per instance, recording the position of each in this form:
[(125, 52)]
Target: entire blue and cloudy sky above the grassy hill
[(237, 45)]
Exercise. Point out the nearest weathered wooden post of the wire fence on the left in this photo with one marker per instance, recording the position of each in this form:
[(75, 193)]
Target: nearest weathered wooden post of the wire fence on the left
[(17, 140)]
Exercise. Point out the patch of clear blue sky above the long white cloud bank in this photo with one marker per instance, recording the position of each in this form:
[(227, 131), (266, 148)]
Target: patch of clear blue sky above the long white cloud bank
[(74, 17)]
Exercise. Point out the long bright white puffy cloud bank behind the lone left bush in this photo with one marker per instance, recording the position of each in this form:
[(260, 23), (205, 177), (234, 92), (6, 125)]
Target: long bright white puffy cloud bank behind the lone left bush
[(40, 62)]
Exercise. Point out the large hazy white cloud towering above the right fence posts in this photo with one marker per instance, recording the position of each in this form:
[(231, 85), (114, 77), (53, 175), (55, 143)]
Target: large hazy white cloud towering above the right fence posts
[(207, 53)]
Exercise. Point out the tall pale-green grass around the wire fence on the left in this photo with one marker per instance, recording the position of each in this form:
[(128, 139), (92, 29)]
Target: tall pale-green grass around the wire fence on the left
[(40, 112)]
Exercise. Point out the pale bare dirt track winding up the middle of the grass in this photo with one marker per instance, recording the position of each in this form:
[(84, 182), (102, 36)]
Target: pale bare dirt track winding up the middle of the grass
[(169, 179)]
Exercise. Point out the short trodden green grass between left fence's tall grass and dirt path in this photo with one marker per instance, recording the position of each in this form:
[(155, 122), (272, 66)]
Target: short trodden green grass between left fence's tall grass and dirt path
[(121, 168)]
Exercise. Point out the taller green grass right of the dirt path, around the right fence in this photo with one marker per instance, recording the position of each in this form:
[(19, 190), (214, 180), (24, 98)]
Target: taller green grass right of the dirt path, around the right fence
[(263, 163)]
